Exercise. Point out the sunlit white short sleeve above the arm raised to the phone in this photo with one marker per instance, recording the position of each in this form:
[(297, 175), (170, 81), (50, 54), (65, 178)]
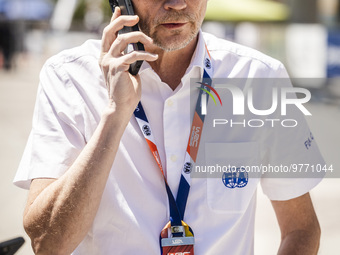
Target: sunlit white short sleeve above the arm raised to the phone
[(56, 138)]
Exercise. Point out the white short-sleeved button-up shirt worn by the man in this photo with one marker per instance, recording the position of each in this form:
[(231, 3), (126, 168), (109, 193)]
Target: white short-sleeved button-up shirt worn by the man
[(134, 206)]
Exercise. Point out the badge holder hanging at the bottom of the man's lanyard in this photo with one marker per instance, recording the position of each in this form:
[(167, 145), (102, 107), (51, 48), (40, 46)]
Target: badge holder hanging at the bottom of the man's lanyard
[(178, 243)]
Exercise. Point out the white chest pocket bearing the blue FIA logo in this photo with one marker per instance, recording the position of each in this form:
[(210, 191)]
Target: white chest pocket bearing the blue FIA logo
[(232, 186)]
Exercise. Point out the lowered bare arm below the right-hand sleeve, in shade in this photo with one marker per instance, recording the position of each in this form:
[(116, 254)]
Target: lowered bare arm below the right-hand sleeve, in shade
[(300, 229)]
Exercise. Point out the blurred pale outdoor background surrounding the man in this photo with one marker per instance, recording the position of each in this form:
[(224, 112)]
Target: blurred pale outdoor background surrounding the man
[(303, 34)]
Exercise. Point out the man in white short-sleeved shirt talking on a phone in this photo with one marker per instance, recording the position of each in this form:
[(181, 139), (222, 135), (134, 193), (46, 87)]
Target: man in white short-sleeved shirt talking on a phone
[(95, 187)]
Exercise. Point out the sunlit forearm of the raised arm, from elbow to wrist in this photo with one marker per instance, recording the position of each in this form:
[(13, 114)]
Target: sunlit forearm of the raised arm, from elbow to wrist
[(60, 216)]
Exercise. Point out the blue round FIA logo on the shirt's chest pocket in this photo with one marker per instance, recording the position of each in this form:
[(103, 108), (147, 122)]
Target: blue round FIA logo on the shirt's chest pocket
[(235, 178)]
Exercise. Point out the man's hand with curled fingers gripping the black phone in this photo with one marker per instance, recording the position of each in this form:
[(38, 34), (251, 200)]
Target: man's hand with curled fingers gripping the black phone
[(124, 89)]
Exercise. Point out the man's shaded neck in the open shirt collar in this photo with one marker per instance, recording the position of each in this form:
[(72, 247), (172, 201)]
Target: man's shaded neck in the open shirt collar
[(172, 65)]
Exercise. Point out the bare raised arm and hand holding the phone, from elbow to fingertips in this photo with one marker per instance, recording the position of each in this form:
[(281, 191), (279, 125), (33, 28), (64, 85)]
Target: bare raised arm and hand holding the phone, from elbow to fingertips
[(60, 212)]
